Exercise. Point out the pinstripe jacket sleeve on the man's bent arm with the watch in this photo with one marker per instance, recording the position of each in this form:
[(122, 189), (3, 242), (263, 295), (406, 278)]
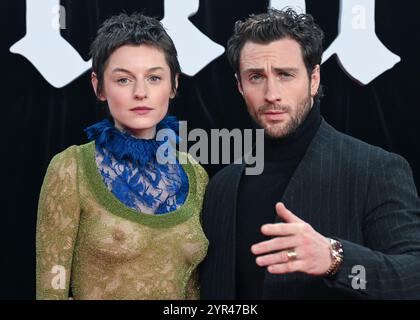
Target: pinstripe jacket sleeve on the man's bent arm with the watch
[(389, 260)]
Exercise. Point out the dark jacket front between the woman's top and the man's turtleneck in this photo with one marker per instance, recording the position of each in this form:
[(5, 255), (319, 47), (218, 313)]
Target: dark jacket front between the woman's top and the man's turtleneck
[(218, 270)]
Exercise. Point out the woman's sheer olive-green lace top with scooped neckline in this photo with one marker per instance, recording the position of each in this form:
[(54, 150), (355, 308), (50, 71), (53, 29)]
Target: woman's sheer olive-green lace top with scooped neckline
[(89, 245)]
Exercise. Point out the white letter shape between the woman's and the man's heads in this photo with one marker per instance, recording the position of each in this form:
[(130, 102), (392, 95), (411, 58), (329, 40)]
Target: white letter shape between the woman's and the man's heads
[(195, 49)]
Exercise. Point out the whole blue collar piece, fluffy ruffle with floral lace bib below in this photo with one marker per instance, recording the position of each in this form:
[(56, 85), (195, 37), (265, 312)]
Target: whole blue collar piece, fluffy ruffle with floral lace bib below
[(130, 170)]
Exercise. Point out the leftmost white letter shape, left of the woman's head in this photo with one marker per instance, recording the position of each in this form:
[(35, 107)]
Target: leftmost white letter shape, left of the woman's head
[(57, 61)]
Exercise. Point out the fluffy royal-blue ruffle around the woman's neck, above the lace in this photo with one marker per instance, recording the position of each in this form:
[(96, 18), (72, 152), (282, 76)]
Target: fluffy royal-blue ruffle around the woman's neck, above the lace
[(123, 145)]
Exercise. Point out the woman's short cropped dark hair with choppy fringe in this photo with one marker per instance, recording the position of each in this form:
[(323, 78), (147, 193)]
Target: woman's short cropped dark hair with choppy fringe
[(134, 29)]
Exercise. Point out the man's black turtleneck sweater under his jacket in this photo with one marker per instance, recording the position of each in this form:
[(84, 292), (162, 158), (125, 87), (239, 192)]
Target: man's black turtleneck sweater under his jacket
[(258, 195)]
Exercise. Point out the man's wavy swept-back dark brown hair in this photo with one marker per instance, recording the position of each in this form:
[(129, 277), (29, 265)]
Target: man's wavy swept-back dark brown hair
[(276, 25)]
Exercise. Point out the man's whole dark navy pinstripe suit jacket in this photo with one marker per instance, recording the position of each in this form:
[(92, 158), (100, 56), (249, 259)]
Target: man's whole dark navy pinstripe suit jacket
[(346, 189)]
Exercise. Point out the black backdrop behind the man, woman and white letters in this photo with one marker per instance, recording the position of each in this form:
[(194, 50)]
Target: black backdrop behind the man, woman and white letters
[(39, 120)]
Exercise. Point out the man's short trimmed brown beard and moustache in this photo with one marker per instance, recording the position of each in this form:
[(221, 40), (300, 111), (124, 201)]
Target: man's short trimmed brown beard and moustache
[(281, 129)]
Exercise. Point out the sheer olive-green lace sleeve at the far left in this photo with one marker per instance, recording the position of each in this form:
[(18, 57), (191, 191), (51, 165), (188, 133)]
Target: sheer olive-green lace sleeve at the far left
[(57, 226)]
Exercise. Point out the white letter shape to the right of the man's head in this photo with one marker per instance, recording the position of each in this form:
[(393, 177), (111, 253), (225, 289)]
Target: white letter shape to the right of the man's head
[(361, 54)]
